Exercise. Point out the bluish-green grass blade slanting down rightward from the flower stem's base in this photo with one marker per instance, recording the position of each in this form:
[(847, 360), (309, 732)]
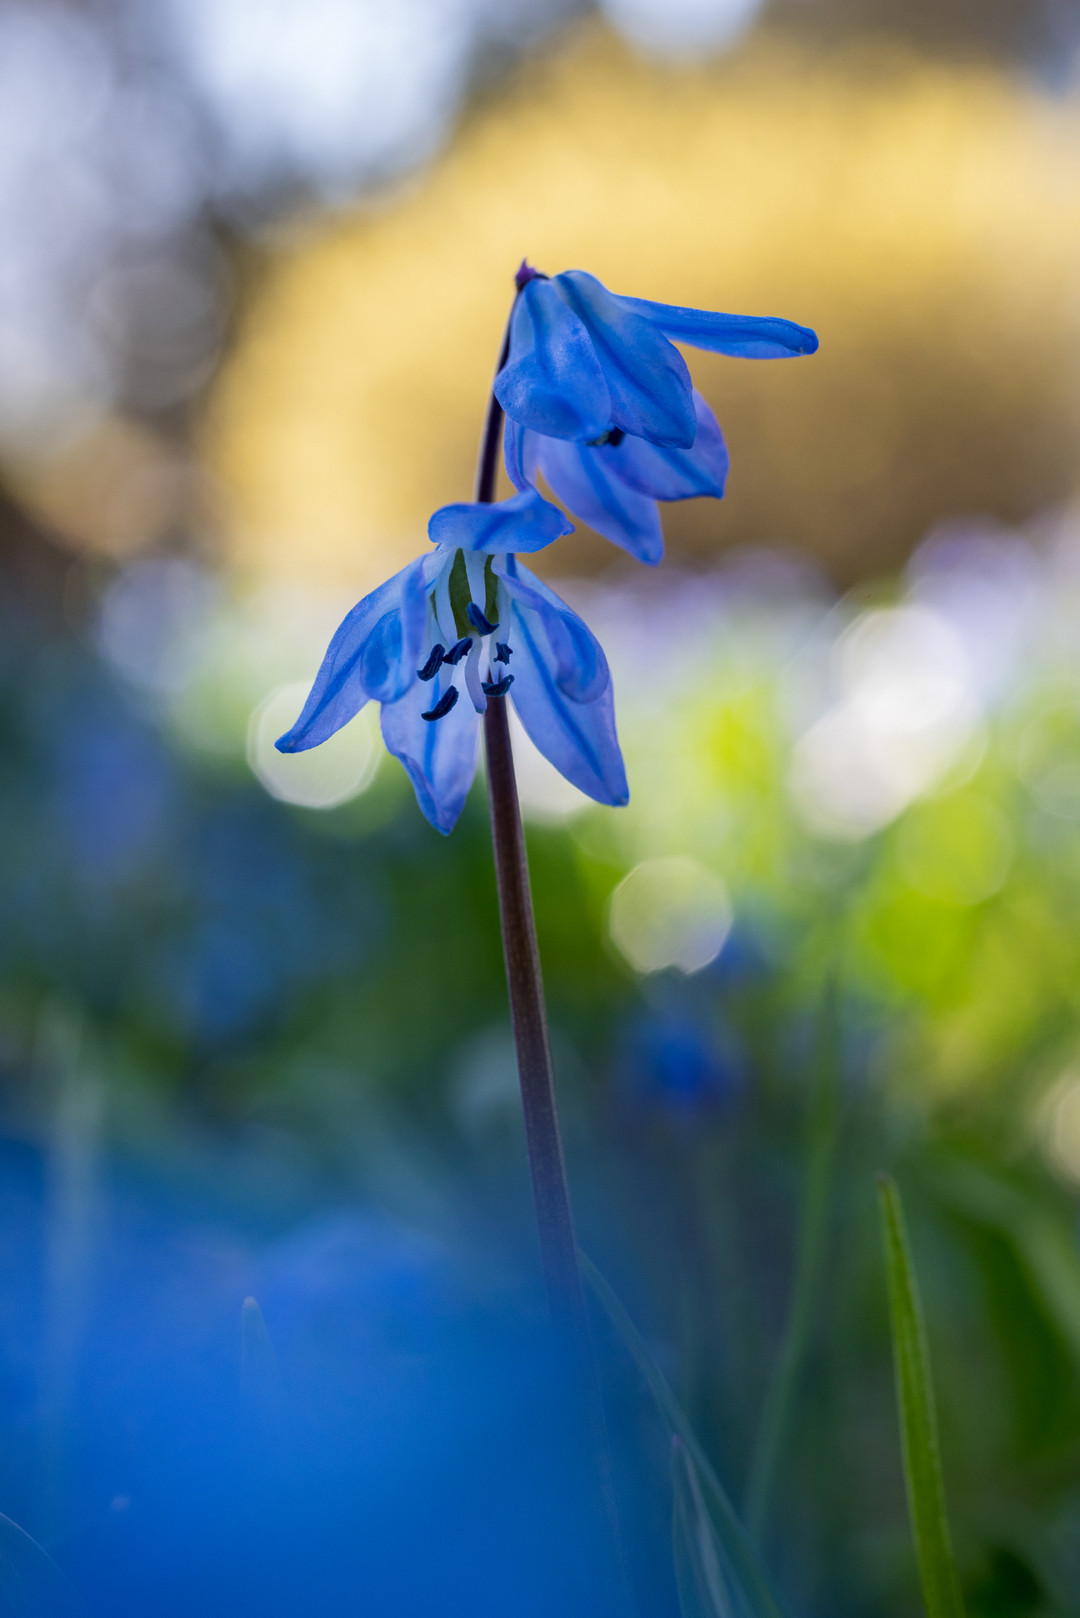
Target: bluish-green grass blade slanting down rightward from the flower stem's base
[(739, 1554)]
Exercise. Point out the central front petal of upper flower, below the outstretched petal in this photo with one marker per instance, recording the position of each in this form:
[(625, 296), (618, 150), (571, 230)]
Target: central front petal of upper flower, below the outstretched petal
[(647, 378)]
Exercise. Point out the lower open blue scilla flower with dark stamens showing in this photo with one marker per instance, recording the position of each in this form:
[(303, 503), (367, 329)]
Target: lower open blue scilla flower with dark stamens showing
[(456, 629)]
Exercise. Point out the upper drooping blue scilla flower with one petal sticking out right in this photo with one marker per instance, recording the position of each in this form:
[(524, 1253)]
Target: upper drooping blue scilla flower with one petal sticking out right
[(600, 400)]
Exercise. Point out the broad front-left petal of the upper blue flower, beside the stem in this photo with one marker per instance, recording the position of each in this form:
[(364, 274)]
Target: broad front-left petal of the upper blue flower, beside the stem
[(553, 379)]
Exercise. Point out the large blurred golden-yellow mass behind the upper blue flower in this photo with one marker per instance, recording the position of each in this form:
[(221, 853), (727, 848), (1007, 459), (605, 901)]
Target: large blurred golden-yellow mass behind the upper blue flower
[(924, 216)]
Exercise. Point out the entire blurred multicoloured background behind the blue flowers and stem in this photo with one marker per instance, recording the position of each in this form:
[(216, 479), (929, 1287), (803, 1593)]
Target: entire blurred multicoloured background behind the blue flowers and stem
[(253, 1035)]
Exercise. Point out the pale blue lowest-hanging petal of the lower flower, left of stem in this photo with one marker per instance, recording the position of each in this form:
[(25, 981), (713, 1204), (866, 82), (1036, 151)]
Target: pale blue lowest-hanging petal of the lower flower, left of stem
[(440, 756)]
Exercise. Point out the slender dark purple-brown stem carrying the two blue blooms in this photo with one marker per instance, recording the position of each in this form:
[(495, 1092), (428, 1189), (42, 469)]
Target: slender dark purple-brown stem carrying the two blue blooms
[(559, 1255)]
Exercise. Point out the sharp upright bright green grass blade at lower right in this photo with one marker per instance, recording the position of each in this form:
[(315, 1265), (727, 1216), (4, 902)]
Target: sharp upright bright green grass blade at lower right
[(919, 1423)]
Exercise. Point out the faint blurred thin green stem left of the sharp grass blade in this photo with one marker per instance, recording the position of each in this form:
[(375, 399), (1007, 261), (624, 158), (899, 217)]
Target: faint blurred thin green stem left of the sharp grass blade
[(822, 1140)]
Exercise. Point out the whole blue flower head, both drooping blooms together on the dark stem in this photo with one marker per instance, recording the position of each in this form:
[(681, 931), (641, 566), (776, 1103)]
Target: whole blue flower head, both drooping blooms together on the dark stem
[(600, 402)]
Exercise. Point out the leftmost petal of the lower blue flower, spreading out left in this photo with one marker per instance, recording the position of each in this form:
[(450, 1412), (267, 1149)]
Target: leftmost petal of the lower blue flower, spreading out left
[(372, 656)]
